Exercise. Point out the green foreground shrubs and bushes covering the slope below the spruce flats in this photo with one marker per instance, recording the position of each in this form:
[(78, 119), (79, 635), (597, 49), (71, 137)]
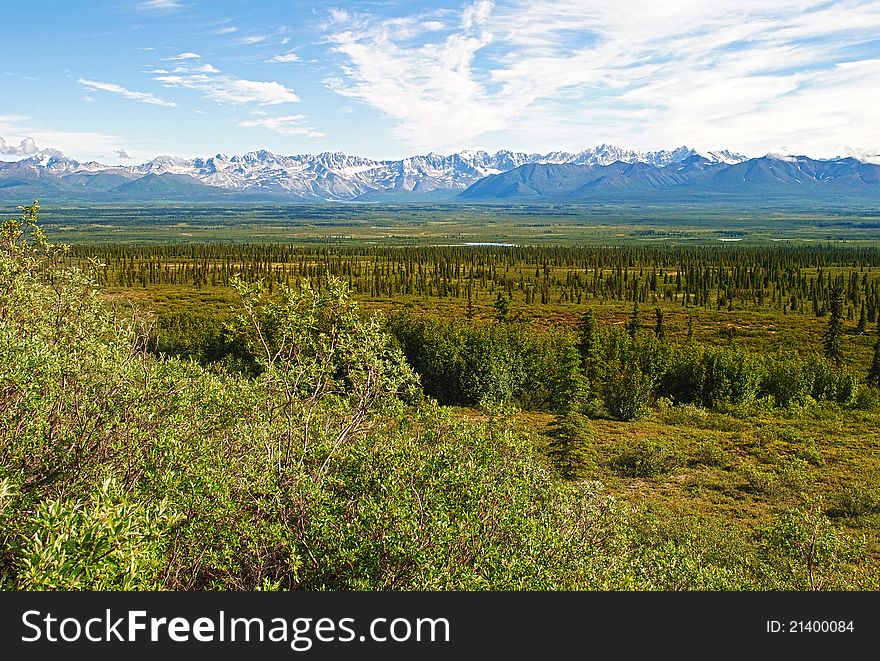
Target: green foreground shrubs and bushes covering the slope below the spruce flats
[(301, 442)]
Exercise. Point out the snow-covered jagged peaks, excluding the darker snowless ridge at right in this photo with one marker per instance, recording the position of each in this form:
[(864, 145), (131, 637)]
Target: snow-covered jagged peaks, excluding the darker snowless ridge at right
[(337, 176)]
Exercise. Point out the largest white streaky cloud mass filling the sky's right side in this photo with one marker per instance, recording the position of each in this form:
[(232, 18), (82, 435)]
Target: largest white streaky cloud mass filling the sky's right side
[(745, 74)]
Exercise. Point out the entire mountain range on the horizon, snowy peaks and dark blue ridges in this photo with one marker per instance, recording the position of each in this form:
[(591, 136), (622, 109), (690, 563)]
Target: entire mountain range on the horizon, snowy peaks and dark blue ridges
[(603, 172)]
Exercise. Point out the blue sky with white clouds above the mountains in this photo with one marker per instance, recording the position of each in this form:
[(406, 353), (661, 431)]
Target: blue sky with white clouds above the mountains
[(123, 81)]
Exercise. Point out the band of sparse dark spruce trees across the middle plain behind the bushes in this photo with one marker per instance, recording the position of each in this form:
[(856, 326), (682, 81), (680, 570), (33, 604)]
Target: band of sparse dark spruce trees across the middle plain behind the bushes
[(789, 279)]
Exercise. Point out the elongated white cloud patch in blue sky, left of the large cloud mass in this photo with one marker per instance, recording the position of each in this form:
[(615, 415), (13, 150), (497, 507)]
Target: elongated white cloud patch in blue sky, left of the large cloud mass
[(224, 88)]
